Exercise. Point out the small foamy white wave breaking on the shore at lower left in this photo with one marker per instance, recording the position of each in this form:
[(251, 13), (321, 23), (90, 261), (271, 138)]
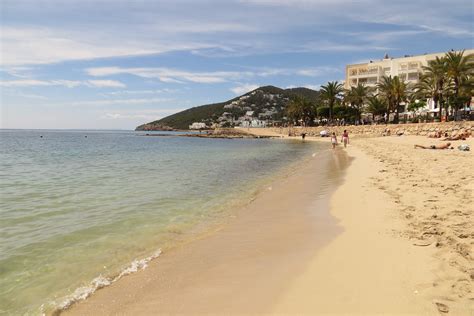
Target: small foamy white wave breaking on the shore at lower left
[(97, 283)]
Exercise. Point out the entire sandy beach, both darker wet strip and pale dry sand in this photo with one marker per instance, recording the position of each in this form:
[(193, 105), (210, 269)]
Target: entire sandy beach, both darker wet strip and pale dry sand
[(398, 241)]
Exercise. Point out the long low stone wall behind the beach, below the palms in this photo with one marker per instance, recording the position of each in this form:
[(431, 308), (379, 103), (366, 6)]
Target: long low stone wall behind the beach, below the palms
[(451, 128)]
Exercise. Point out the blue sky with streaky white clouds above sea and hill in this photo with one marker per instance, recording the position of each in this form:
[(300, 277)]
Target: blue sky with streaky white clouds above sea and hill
[(116, 64)]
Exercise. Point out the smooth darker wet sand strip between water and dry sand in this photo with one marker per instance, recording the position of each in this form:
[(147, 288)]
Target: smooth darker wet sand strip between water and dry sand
[(243, 267)]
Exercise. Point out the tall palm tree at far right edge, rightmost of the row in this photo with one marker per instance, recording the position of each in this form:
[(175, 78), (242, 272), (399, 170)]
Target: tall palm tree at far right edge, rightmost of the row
[(458, 68)]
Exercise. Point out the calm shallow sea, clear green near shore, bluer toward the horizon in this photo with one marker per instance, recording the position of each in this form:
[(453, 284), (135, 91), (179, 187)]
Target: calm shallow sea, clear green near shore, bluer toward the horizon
[(80, 209)]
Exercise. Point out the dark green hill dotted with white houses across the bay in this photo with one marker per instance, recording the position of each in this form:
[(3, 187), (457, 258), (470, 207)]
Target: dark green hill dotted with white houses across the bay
[(265, 103)]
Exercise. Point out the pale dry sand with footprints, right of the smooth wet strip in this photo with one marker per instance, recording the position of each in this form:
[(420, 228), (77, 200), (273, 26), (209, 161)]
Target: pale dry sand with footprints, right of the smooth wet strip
[(408, 238)]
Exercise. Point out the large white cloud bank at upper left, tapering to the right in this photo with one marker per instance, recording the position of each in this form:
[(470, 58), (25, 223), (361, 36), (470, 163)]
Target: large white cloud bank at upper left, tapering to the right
[(24, 46)]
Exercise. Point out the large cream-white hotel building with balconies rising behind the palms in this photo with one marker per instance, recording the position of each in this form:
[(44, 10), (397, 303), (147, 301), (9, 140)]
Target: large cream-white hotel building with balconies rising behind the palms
[(408, 68)]
